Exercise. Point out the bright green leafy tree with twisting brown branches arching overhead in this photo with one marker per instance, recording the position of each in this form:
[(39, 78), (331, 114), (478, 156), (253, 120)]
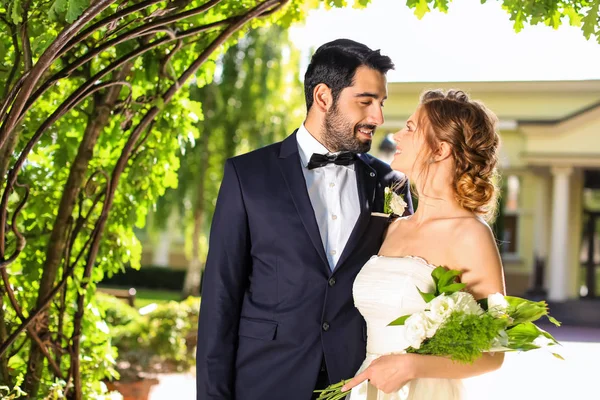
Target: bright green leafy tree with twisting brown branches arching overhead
[(92, 117)]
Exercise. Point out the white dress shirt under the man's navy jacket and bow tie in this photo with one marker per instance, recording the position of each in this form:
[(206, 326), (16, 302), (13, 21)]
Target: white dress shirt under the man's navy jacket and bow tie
[(333, 194)]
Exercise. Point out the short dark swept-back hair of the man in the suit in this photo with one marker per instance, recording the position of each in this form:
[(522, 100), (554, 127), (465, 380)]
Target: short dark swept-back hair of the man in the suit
[(335, 64)]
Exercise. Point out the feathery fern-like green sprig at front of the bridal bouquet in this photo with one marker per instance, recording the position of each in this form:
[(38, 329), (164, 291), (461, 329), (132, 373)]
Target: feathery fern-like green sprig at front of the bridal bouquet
[(462, 337)]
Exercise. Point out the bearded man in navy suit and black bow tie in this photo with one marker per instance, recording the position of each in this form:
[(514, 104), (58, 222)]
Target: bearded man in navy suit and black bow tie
[(292, 227)]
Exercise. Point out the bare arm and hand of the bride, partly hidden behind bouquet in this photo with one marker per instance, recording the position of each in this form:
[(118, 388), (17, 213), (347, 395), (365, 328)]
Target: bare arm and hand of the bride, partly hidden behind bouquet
[(474, 250)]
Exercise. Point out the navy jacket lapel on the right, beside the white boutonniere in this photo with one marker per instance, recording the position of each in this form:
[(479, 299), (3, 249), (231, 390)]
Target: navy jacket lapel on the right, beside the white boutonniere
[(366, 180)]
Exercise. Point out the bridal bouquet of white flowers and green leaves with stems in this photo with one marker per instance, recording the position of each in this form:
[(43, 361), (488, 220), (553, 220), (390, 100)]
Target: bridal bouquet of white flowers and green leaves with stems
[(457, 326)]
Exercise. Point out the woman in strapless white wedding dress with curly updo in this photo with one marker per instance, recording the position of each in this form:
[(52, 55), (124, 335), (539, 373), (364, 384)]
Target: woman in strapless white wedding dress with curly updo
[(448, 149)]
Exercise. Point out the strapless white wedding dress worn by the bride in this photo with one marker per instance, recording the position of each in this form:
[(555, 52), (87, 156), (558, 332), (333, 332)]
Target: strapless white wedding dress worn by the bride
[(385, 289)]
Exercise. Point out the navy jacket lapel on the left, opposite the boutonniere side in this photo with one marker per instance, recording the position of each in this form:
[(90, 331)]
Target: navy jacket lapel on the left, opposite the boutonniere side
[(291, 168)]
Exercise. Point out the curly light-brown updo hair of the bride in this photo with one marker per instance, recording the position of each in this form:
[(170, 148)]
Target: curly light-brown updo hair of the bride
[(470, 130)]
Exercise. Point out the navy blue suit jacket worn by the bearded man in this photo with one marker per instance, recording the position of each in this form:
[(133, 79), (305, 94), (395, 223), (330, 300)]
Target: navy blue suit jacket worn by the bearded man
[(271, 307)]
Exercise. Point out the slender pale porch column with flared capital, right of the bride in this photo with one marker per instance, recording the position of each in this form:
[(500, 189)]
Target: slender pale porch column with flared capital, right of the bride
[(559, 251)]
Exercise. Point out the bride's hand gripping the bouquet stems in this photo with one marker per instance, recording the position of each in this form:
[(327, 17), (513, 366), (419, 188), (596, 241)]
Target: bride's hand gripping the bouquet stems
[(387, 373)]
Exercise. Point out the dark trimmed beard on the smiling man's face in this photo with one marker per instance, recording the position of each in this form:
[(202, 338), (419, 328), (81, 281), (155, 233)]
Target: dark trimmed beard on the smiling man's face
[(341, 135)]
